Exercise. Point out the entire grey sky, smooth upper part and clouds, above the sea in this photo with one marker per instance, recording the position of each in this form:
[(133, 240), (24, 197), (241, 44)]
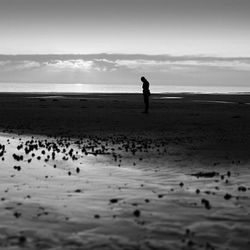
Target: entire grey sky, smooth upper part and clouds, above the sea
[(172, 42)]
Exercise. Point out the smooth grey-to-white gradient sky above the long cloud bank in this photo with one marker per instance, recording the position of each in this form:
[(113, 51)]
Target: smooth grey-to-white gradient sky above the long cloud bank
[(176, 27)]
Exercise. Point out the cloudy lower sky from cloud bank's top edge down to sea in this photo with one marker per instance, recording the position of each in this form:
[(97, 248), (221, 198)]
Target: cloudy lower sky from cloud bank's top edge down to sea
[(125, 69)]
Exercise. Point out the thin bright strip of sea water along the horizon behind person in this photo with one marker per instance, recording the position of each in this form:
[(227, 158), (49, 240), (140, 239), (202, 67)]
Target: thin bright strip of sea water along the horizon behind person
[(113, 88)]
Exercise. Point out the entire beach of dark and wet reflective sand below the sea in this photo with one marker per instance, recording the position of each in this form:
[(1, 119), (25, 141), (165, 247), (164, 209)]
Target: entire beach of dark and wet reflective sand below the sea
[(94, 172)]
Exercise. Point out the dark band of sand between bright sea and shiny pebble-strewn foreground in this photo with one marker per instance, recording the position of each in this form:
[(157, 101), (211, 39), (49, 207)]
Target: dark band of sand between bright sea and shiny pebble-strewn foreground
[(207, 127)]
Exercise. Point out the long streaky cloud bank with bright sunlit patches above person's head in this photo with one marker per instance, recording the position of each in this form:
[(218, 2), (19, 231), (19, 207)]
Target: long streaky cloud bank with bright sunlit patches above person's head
[(104, 63)]
